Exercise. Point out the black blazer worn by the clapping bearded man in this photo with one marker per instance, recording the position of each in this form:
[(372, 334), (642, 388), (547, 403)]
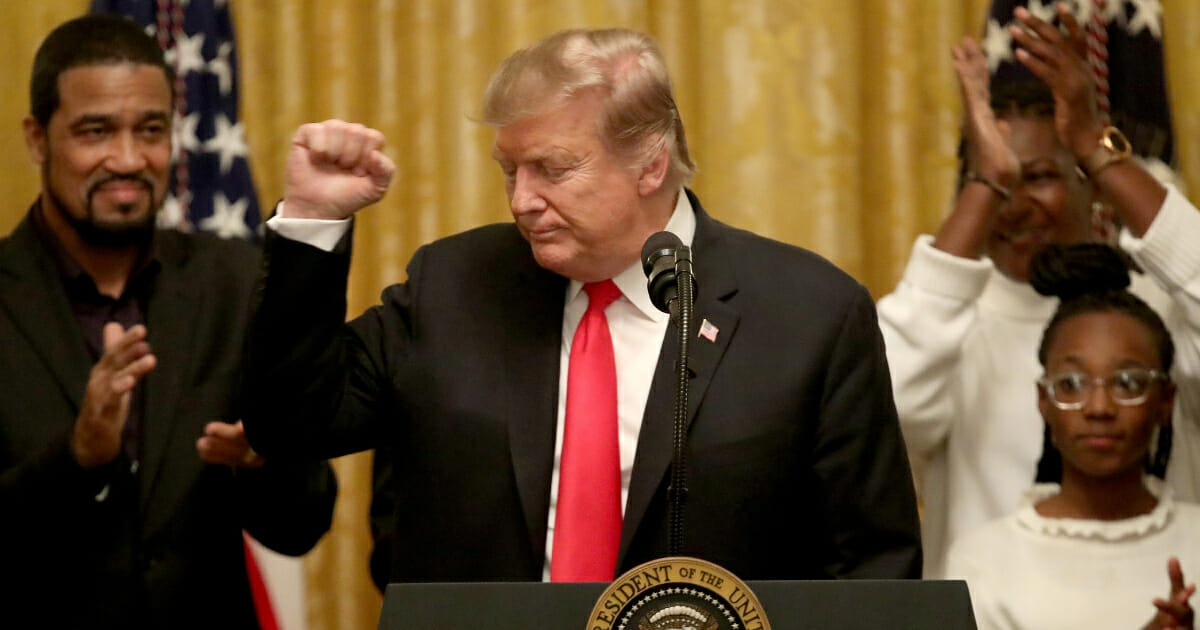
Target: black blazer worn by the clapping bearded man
[(164, 548)]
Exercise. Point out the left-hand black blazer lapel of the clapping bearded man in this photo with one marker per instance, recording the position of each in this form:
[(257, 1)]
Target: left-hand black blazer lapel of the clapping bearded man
[(33, 297)]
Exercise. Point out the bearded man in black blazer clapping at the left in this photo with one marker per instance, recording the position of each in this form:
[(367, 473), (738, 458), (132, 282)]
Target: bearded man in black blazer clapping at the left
[(125, 477)]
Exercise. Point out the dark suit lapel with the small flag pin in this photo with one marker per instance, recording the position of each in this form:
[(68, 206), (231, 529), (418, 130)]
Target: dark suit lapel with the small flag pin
[(655, 443)]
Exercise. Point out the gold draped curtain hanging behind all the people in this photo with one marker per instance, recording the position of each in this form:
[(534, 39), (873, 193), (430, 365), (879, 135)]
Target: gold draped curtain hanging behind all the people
[(829, 124)]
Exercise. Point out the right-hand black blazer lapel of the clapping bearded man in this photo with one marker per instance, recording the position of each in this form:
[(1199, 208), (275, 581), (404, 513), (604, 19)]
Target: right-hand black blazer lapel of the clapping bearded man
[(172, 319)]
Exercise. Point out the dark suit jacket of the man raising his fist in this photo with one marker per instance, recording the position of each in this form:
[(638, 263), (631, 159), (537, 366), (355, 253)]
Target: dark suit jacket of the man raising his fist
[(796, 464)]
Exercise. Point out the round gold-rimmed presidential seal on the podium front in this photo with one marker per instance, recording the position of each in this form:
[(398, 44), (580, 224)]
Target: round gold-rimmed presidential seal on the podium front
[(679, 595)]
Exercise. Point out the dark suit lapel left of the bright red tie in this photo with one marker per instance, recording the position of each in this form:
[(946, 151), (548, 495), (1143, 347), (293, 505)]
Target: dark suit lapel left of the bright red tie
[(532, 328)]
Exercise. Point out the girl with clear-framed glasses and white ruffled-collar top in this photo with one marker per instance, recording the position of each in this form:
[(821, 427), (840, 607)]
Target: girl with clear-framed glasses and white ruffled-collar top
[(1091, 550)]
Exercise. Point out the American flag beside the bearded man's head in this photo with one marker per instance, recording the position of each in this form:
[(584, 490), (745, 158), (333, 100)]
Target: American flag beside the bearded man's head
[(212, 189)]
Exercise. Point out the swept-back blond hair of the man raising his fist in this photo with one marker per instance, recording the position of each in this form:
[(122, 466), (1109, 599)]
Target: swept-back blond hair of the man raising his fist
[(627, 68)]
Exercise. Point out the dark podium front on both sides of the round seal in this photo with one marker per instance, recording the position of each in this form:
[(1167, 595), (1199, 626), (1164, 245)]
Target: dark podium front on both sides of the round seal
[(790, 605)]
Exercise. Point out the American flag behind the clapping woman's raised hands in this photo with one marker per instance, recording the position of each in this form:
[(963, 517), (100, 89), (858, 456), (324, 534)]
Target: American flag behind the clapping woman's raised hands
[(1130, 34)]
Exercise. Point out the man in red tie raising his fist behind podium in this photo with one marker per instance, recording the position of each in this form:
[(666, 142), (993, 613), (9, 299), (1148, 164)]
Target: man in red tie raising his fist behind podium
[(466, 371)]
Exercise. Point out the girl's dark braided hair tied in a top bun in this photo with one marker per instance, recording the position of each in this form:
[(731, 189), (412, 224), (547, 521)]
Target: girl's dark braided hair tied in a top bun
[(1093, 278)]
